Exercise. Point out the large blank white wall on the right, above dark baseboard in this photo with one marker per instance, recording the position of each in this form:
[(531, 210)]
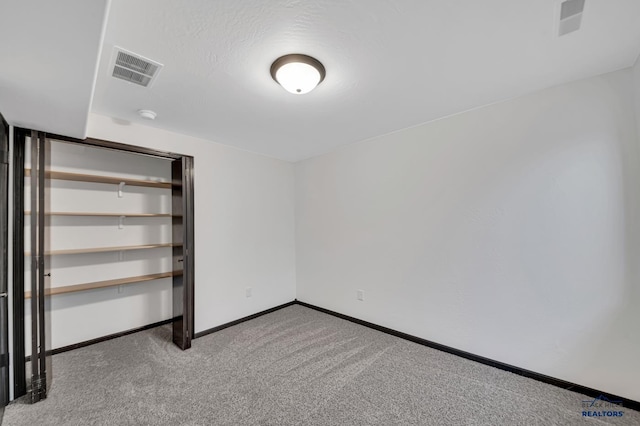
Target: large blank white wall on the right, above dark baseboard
[(509, 231)]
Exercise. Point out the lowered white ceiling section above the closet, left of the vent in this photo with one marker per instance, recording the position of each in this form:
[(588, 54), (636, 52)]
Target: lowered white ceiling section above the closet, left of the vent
[(49, 52)]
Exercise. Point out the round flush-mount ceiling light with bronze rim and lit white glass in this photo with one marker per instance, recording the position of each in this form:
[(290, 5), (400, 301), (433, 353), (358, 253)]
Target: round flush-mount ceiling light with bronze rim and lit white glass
[(297, 73)]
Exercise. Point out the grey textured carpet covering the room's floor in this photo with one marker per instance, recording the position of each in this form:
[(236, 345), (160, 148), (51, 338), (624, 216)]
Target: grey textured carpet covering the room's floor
[(295, 366)]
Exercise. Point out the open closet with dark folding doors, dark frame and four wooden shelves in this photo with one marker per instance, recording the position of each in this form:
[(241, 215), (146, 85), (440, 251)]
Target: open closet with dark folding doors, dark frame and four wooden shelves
[(107, 237)]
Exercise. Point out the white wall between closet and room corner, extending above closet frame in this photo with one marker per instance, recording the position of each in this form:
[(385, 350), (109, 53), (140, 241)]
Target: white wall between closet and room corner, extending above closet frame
[(244, 223)]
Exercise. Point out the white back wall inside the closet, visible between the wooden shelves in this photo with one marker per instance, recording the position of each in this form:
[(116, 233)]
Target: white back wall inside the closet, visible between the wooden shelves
[(84, 315)]
